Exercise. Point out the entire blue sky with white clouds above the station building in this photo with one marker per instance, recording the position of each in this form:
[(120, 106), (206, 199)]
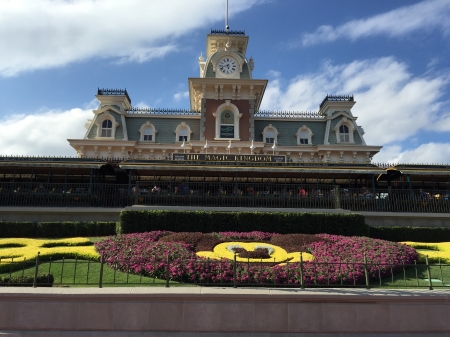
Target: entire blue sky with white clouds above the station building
[(394, 56)]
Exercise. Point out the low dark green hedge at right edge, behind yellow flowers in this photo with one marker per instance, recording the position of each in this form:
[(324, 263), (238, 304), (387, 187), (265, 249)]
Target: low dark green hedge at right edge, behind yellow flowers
[(418, 234)]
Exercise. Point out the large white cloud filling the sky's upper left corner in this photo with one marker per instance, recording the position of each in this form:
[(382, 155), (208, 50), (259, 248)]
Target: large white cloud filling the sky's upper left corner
[(51, 33)]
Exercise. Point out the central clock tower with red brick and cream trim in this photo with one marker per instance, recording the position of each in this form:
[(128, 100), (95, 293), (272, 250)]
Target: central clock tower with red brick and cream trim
[(226, 94)]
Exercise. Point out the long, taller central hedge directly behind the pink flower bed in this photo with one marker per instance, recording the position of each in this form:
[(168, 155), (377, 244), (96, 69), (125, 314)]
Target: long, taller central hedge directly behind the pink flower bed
[(206, 222)]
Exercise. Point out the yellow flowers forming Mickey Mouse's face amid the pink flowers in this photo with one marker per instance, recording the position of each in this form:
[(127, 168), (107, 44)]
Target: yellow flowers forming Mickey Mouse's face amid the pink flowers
[(277, 254)]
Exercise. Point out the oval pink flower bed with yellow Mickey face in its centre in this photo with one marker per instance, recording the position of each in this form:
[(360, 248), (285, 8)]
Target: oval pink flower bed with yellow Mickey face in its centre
[(328, 259)]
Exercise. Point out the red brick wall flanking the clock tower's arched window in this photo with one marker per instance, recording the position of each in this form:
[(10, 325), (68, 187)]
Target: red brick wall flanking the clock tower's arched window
[(211, 106)]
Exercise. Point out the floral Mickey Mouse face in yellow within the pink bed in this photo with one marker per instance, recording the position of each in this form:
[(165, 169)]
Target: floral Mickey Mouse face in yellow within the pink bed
[(245, 252)]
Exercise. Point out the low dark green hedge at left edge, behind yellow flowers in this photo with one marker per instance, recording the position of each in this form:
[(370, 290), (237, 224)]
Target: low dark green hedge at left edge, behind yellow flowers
[(65, 229)]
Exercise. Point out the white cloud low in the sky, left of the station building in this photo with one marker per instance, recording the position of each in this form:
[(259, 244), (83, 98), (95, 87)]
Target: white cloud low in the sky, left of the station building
[(43, 133)]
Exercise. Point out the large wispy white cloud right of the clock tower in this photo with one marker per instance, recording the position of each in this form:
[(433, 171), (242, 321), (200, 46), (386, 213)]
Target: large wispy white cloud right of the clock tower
[(392, 105)]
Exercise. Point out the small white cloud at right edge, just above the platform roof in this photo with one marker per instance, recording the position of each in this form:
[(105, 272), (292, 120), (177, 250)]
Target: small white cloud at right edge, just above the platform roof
[(431, 153)]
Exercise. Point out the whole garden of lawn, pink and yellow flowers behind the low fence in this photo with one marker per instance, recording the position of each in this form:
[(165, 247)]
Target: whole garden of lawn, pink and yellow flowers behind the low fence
[(264, 258)]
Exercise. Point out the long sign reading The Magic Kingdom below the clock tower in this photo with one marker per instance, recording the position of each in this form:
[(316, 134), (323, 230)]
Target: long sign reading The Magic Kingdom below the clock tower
[(256, 158)]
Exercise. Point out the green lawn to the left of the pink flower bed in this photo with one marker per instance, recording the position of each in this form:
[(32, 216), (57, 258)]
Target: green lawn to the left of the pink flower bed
[(83, 273)]
